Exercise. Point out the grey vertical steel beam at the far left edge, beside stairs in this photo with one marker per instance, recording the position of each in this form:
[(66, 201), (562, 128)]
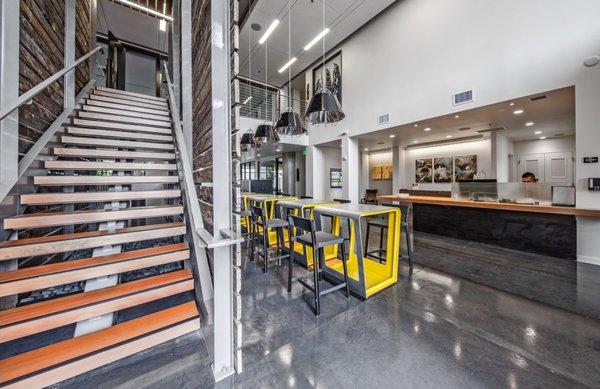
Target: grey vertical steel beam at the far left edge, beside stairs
[(9, 90)]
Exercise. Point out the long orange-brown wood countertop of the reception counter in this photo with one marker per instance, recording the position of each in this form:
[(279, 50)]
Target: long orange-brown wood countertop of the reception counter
[(552, 209)]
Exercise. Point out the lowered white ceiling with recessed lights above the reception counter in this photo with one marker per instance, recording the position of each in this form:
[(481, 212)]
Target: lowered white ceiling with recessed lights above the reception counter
[(554, 116)]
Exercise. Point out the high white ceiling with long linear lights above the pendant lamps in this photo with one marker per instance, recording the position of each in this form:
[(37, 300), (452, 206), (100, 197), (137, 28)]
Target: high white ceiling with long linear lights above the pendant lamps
[(342, 17)]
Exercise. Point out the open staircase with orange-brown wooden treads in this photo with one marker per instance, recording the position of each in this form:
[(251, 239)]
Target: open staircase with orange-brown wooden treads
[(111, 189)]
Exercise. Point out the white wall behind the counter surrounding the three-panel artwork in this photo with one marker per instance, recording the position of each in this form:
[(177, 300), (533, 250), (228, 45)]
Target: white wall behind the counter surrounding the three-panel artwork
[(481, 148)]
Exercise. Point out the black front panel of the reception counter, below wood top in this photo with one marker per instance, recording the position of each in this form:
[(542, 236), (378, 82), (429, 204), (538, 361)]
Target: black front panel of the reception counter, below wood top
[(554, 235)]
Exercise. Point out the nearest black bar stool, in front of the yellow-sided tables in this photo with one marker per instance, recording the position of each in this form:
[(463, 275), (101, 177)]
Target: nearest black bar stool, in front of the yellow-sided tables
[(304, 232)]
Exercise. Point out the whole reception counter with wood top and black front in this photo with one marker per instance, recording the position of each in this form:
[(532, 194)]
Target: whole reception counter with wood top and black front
[(542, 229)]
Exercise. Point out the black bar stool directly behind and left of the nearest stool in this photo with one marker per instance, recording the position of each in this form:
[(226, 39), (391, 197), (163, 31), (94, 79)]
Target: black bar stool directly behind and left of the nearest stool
[(259, 221)]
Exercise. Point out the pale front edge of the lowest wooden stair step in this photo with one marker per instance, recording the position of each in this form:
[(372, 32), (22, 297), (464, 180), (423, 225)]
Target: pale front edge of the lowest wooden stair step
[(80, 366)]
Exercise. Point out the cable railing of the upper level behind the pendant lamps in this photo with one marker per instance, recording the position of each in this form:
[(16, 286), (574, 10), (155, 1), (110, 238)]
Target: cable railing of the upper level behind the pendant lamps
[(258, 103)]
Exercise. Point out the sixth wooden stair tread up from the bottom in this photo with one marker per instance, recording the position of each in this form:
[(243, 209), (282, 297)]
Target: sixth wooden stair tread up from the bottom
[(90, 197)]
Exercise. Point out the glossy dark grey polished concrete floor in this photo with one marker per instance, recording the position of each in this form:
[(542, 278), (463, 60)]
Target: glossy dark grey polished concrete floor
[(432, 329)]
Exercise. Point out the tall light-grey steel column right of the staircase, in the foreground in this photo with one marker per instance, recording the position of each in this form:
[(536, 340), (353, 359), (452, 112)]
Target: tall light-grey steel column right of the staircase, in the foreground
[(222, 189)]
